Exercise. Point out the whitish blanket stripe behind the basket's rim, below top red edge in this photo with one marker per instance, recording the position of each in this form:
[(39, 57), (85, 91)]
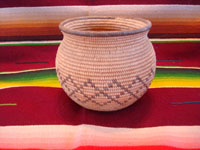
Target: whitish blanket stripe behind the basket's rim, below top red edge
[(64, 12)]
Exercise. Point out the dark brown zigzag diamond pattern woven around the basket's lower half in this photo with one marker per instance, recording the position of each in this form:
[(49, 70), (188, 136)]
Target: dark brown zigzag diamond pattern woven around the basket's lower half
[(79, 89)]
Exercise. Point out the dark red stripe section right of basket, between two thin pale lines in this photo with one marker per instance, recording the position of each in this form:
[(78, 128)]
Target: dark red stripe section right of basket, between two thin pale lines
[(186, 54)]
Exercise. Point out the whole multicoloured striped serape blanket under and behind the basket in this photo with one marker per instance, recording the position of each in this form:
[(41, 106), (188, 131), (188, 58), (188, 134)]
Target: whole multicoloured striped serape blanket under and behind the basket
[(36, 114)]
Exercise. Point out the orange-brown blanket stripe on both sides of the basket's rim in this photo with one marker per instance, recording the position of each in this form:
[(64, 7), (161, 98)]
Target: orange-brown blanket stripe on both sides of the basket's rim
[(51, 28)]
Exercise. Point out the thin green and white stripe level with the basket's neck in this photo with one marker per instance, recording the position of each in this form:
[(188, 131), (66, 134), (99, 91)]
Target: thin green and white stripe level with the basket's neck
[(57, 43)]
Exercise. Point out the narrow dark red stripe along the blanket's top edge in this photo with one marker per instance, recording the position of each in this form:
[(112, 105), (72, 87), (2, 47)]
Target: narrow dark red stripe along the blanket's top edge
[(32, 3)]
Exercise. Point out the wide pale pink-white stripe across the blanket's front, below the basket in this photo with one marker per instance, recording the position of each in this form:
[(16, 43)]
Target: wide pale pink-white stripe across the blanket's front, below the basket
[(69, 137)]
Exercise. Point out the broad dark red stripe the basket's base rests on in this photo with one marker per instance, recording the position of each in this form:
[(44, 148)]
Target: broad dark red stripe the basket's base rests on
[(52, 106)]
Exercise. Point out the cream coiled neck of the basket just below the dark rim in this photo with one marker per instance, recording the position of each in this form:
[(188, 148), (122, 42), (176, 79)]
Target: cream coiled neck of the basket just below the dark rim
[(98, 43)]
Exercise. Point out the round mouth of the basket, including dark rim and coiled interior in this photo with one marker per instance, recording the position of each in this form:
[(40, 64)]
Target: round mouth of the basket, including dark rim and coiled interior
[(104, 26)]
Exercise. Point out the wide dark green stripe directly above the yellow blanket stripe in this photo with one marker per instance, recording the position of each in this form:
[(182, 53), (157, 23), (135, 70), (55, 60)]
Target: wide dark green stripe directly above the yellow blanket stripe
[(41, 75)]
